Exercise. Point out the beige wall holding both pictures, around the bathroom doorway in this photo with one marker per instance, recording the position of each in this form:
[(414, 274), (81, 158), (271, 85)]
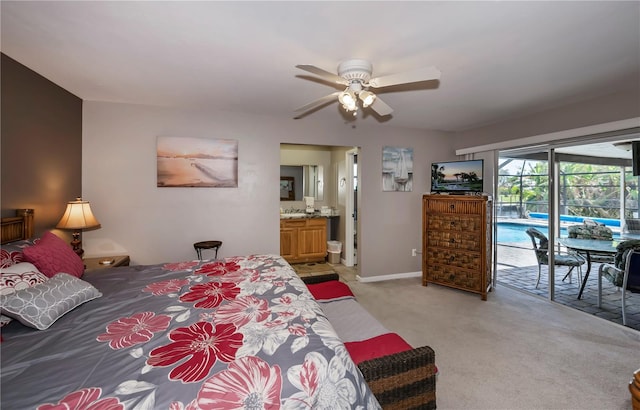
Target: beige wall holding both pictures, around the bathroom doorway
[(160, 224)]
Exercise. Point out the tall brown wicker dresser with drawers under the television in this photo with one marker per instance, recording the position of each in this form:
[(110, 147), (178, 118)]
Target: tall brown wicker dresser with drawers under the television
[(456, 242)]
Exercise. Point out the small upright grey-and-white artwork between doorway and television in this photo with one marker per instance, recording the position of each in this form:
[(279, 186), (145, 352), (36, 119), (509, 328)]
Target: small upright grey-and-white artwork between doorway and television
[(397, 169)]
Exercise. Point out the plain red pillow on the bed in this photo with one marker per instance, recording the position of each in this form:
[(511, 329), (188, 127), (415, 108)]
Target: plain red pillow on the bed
[(52, 255)]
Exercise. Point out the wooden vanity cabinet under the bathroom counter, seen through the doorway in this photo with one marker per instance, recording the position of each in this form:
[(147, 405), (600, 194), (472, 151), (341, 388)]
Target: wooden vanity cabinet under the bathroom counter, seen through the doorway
[(303, 240)]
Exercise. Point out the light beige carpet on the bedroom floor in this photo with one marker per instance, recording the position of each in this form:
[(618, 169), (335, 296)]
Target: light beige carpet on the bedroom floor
[(513, 351)]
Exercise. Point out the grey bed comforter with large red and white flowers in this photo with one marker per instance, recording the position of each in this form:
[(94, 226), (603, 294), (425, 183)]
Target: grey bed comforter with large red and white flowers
[(242, 332)]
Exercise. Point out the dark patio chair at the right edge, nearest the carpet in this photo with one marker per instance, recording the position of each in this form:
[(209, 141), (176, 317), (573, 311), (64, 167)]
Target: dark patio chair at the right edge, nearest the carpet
[(625, 273)]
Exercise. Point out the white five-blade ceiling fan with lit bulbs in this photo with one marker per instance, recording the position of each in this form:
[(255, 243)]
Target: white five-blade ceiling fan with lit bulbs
[(355, 74)]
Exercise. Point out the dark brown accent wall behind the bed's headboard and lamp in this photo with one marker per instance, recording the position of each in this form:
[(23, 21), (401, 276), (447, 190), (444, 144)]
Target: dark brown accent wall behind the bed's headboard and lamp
[(41, 145)]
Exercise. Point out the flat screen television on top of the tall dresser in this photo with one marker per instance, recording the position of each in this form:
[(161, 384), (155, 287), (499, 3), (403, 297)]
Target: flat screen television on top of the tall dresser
[(457, 176)]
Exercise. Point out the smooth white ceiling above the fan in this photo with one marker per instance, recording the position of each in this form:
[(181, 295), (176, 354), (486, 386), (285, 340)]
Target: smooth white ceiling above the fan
[(498, 59)]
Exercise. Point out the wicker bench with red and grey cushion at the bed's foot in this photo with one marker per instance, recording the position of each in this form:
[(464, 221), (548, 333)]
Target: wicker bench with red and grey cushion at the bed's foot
[(400, 376)]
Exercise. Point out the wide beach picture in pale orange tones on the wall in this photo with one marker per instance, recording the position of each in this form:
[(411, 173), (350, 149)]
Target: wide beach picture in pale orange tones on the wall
[(197, 162)]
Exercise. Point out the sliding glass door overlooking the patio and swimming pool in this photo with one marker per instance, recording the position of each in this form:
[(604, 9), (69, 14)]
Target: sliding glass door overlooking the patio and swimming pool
[(542, 195)]
